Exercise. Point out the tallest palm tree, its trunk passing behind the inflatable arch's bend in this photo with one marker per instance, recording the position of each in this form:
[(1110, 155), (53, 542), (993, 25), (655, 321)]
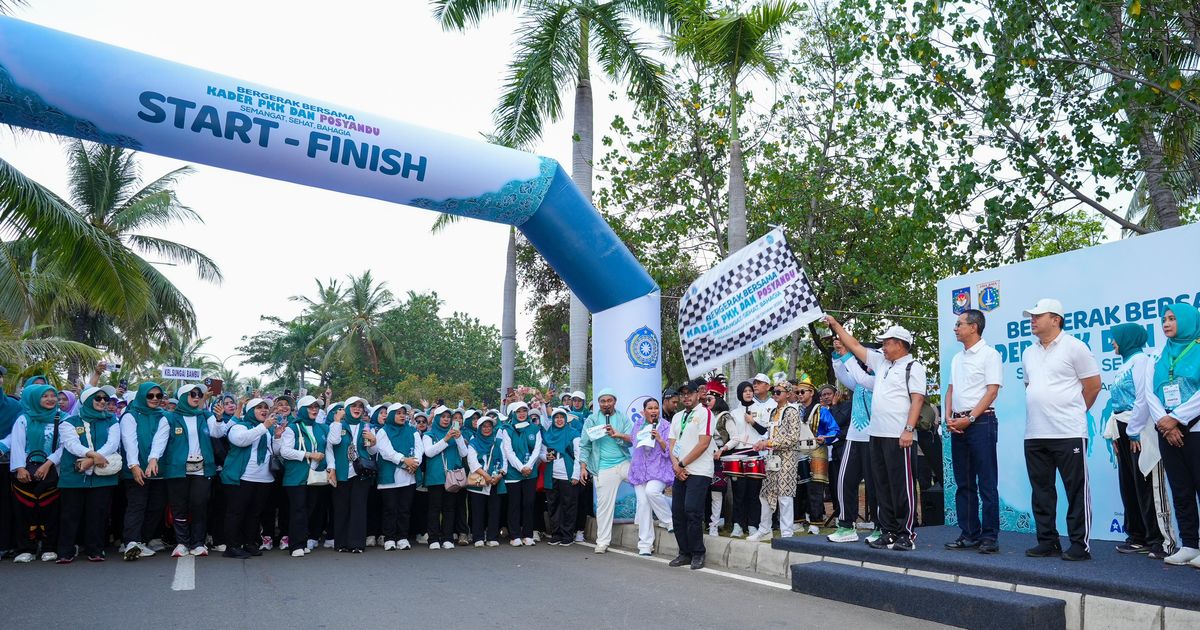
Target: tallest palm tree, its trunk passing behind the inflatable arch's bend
[(556, 46)]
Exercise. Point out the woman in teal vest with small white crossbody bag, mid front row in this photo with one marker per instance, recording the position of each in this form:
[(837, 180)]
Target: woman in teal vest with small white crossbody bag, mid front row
[(303, 451)]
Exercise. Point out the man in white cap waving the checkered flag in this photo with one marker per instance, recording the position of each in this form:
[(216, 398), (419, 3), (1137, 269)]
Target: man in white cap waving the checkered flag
[(896, 407)]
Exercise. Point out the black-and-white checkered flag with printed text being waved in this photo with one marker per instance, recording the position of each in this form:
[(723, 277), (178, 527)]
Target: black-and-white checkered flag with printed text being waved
[(753, 298)]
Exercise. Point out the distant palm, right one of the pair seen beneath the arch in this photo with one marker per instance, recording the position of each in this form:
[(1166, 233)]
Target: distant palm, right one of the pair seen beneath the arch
[(355, 333)]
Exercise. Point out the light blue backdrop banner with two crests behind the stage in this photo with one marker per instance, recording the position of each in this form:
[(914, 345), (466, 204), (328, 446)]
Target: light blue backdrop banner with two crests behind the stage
[(1100, 289)]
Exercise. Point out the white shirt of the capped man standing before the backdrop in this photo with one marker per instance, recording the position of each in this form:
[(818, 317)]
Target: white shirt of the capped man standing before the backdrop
[(1054, 393)]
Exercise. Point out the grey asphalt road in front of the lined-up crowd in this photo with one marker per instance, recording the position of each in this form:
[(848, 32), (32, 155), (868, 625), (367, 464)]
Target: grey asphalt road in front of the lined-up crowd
[(530, 589)]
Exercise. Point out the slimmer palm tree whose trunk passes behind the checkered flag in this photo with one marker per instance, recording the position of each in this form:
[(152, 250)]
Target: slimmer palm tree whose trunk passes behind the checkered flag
[(734, 45)]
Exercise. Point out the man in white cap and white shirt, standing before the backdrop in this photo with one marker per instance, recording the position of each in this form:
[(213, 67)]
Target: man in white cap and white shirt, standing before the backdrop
[(1061, 383)]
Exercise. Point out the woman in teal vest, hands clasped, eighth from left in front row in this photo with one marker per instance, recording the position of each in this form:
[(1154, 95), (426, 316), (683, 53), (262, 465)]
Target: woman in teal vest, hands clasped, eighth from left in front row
[(400, 458)]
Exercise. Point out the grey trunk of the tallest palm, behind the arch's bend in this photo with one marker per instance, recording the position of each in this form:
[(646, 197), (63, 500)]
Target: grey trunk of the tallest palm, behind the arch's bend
[(581, 173)]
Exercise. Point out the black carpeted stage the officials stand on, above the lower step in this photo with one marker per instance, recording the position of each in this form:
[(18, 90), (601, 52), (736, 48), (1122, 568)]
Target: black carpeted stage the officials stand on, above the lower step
[(1133, 578)]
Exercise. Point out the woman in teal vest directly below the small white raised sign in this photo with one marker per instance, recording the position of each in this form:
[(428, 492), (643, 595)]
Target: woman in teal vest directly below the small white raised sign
[(183, 442)]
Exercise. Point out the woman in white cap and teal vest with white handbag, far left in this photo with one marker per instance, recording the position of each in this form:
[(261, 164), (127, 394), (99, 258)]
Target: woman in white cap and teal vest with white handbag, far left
[(88, 442)]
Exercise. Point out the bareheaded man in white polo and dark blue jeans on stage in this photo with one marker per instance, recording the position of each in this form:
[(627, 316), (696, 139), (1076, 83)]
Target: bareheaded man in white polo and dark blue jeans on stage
[(976, 376)]
